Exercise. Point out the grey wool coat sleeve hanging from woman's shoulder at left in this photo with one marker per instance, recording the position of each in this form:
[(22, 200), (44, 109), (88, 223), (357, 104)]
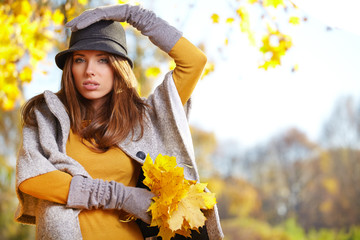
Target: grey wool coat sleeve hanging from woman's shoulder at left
[(40, 154)]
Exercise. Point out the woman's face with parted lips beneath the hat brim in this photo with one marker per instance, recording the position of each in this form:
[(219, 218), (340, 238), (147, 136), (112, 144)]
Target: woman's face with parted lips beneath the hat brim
[(93, 75)]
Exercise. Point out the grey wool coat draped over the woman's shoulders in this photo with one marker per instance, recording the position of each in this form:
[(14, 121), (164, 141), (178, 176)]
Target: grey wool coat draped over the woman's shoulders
[(44, 150)]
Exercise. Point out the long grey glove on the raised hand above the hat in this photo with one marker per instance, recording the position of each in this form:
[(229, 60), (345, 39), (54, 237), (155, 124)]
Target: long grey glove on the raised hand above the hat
[(159, 31)]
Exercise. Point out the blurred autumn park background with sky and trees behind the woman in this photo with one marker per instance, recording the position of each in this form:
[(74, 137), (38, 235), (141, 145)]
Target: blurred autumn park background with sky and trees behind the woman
[(275, 117)]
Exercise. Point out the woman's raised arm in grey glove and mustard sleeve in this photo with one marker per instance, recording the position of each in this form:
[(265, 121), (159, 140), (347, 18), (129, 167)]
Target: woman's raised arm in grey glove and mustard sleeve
[(189, 59)]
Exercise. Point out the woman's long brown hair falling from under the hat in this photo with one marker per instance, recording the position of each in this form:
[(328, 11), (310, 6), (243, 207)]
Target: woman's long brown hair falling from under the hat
[(121, 114)]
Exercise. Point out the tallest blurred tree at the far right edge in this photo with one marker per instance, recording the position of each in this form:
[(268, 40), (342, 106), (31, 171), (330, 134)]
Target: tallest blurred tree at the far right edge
[(333, 192)]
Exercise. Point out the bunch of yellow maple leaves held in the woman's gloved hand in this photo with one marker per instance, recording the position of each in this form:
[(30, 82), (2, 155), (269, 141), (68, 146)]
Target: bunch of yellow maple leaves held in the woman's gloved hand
[(178, 202)]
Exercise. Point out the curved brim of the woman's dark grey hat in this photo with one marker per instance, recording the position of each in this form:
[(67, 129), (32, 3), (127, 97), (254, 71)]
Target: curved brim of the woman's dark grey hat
[(98, 45)]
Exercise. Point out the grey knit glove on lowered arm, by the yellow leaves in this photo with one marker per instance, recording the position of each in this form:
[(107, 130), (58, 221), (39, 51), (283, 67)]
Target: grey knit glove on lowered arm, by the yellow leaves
[(87, 193)]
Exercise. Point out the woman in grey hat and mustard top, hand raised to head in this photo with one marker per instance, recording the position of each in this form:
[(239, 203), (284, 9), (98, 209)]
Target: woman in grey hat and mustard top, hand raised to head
[(83, 147)]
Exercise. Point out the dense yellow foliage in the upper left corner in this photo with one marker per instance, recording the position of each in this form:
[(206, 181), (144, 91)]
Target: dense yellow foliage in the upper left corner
[(26, 37)]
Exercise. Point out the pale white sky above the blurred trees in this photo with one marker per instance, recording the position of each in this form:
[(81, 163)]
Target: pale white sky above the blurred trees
[(240, 102)]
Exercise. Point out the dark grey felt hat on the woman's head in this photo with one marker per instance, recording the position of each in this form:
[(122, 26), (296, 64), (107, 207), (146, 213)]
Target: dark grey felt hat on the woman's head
[(105, 35)]
